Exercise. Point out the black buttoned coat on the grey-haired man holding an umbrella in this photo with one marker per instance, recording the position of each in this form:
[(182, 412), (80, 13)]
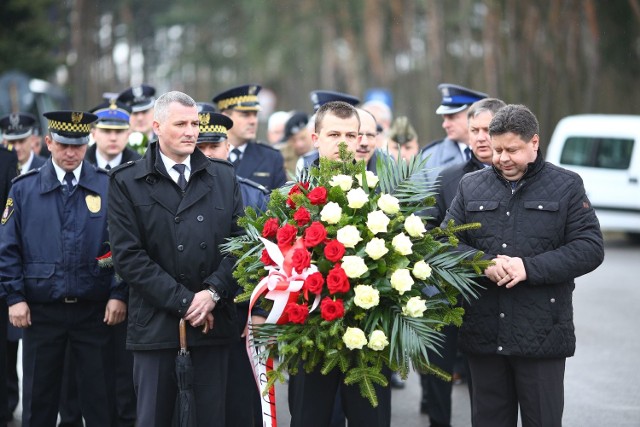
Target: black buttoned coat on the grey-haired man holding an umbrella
[(165, 244)]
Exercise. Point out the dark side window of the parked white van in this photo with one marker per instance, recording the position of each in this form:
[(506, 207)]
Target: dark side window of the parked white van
[(609, 153)]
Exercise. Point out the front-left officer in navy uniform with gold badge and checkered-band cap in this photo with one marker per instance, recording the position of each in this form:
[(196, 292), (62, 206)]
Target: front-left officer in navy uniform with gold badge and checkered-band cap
[(53, 228)]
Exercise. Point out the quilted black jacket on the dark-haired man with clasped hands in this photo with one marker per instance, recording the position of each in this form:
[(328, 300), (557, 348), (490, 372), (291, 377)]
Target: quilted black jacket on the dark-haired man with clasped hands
[(547, 221)]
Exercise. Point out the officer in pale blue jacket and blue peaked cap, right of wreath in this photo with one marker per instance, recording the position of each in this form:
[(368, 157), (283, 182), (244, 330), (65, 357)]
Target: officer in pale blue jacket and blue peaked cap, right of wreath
[(454, 148)]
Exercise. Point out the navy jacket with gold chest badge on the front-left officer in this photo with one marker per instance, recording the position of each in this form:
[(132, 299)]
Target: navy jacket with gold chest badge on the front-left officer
[(50, 239)]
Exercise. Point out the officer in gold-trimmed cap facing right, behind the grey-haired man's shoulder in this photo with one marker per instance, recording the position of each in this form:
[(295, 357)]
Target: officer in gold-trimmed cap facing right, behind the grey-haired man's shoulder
[(253, 160)]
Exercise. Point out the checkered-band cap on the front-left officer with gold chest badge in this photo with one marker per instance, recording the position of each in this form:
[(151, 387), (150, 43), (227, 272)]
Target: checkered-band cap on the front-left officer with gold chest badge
[(70, 127)]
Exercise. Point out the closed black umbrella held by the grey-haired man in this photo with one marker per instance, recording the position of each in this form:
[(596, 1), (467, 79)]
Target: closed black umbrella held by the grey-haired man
[(184, 414)]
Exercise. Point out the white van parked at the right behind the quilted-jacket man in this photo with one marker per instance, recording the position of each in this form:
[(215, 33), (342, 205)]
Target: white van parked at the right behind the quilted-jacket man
[(605, 150)]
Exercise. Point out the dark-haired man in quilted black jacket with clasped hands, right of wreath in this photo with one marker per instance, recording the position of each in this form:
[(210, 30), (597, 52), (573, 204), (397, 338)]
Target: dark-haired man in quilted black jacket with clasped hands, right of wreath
[(542, 232)]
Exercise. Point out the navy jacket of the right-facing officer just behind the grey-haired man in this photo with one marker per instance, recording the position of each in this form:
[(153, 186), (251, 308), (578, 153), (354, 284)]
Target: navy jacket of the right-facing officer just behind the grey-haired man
[(263, 164)]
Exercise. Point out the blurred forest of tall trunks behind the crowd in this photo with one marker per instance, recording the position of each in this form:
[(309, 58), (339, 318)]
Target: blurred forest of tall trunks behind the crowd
[(559, 57)]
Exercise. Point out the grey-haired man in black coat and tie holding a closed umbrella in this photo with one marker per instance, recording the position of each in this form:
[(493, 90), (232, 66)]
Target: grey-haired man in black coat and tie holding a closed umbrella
[(168, 213)]
